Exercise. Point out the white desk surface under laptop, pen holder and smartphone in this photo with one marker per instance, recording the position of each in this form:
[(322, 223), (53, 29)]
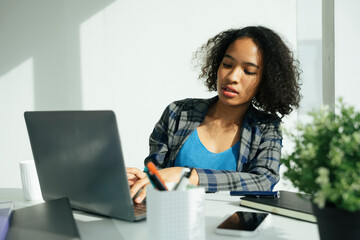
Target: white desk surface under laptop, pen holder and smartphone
[(217, 207)]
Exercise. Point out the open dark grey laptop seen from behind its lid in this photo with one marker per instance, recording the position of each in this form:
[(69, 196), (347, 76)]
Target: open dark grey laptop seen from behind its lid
[(78, 155)]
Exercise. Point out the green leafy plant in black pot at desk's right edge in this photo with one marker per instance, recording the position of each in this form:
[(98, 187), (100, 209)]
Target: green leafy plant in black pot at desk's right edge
[(325, 163)]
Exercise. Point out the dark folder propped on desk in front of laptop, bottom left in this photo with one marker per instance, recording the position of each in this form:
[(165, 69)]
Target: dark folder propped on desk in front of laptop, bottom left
[(49, 220)]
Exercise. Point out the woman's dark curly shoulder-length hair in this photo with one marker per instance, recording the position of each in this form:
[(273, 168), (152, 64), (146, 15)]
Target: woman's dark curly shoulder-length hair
[(279, 90)]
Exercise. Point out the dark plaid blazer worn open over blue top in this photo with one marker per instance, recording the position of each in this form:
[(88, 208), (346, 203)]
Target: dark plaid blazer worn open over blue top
[(260, 146)]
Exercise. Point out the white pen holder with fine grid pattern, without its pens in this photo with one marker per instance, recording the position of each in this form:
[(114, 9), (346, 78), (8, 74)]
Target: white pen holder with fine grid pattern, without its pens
[(175, 215)]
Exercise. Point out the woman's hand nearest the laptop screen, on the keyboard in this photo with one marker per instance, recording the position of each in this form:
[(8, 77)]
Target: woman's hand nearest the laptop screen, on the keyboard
[(137, 181)]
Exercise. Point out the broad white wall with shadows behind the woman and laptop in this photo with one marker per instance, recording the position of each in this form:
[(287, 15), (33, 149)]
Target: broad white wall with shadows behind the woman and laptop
[(133, 57)]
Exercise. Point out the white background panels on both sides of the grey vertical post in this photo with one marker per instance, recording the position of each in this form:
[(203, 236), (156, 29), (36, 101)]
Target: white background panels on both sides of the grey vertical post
[(347, 50)]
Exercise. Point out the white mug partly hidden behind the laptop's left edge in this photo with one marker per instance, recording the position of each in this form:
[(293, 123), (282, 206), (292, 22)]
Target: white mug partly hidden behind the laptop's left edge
[(30, 181)]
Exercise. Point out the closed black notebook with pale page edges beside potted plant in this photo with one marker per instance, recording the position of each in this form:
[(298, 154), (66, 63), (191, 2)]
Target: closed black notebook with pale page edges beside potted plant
[(290, 204)]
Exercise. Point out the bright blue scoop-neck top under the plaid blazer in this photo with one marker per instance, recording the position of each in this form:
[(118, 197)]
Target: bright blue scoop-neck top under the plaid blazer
[(194, 154)]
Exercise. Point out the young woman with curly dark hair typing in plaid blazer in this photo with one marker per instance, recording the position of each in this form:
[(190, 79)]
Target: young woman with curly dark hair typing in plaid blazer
[(232, 141)]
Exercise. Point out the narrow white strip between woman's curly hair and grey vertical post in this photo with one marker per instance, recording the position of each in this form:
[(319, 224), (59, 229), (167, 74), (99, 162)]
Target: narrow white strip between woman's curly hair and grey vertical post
[(309, 56)]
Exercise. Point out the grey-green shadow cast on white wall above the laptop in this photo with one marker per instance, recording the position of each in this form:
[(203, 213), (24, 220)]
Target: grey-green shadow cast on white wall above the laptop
[(48, 32)]
